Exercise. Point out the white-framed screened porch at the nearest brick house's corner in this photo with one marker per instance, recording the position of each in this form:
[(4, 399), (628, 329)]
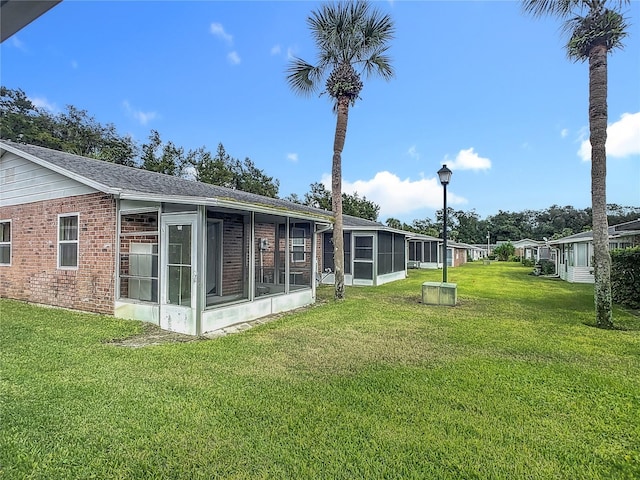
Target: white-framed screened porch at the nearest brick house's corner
[(197, 268)]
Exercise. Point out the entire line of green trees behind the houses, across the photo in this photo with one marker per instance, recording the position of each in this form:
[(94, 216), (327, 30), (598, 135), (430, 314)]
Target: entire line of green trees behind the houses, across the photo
[(75, 131)]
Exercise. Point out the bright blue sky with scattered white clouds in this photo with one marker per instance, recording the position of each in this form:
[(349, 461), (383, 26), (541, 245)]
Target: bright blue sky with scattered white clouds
[(478, 86)]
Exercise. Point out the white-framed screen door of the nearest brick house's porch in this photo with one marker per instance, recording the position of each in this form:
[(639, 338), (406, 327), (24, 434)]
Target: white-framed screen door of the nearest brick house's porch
[(179, 275)]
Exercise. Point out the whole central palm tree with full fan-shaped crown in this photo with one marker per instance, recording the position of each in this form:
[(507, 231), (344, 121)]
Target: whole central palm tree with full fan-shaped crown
[(349, 36)]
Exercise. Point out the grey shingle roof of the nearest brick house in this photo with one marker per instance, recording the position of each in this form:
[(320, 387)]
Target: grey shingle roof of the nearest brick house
[(114, 178)]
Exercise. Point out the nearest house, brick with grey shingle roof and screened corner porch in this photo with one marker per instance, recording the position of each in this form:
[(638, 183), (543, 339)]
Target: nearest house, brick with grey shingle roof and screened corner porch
[(187, 256)]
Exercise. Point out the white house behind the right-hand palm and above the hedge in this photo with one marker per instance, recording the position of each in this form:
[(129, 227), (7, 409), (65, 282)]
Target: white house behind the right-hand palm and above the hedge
[(574, 259)]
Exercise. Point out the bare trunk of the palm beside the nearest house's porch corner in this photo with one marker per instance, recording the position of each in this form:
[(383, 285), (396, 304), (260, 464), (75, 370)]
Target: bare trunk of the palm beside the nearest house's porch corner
[(336, 195)]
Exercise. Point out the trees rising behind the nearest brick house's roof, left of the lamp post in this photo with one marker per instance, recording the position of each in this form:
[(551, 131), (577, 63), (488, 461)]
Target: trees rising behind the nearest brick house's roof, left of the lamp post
[(76, 131)]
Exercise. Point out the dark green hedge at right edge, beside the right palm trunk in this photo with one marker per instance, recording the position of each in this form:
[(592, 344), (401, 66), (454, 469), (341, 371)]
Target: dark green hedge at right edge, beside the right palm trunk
[(625, 277)]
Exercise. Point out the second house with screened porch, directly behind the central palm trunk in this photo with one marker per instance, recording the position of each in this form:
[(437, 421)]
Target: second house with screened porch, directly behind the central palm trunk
[(374, 254)]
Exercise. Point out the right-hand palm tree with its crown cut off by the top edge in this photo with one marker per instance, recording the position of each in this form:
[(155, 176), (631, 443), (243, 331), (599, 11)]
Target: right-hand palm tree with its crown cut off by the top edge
[(594, 30)]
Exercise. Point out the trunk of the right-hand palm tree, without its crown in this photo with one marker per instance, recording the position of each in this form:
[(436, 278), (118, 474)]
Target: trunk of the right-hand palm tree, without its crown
[(598, 138)]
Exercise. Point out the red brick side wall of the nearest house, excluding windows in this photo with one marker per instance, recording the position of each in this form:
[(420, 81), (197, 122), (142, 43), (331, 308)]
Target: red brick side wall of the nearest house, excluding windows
[(33, 274)]
